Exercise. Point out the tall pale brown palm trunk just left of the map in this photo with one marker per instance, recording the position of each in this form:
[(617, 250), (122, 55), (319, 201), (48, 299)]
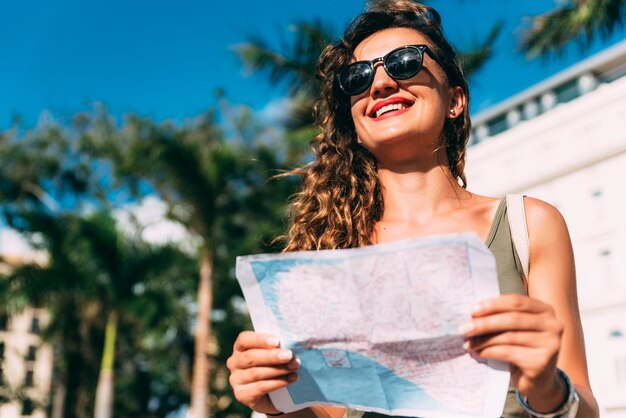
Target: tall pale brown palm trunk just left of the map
[(199, 407)]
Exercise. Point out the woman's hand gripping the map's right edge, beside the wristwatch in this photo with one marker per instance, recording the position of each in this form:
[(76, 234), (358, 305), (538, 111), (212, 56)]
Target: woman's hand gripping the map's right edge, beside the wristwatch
[(524, 332)]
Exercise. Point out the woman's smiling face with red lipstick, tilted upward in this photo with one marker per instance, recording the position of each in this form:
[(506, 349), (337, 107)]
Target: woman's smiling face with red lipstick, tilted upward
[(421, 103)]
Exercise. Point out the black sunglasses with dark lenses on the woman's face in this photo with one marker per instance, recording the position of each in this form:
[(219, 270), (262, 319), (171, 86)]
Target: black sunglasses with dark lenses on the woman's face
[(401, 64)]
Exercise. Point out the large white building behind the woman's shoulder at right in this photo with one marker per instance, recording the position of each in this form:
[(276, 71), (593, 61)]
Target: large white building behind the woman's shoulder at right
[(564, 141)]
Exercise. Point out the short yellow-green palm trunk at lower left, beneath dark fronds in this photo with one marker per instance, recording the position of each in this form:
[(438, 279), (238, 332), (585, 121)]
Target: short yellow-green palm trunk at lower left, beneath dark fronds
[(104, 391)]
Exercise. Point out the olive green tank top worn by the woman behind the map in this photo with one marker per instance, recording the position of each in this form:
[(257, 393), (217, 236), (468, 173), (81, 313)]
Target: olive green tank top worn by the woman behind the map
[(509, 270)]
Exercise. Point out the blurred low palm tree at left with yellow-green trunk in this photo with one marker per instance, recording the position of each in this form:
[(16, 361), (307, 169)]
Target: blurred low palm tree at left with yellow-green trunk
[(93, 273)]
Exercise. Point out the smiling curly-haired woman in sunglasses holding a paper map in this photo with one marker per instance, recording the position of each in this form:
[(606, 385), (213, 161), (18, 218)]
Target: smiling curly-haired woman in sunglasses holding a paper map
[(389, 166)]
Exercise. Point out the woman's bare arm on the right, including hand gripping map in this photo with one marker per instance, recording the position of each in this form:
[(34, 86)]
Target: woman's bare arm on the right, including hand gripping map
[(535, 334)]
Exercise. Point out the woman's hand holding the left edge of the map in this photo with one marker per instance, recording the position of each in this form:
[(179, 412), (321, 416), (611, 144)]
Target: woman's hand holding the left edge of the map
[(259, 366)]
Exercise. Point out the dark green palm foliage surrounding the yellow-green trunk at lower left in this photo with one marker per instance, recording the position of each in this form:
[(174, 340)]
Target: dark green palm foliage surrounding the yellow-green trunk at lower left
[(91, 269)]
